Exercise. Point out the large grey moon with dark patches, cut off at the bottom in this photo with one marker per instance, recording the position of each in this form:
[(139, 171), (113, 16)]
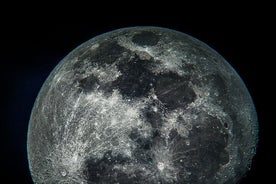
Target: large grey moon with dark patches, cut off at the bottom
[(142, 105)]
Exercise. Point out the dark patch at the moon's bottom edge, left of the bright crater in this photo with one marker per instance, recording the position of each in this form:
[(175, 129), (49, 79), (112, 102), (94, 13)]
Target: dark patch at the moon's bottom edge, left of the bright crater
[(105, 171)]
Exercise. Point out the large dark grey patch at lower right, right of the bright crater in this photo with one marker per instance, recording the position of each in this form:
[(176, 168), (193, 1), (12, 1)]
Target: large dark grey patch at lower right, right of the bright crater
[(204, 156)]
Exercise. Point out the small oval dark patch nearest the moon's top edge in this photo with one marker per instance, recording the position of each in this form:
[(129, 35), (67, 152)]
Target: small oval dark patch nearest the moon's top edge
[(146, 38)]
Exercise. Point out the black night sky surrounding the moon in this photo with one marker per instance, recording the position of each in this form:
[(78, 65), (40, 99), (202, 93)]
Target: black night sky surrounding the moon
[(32, 44)]
